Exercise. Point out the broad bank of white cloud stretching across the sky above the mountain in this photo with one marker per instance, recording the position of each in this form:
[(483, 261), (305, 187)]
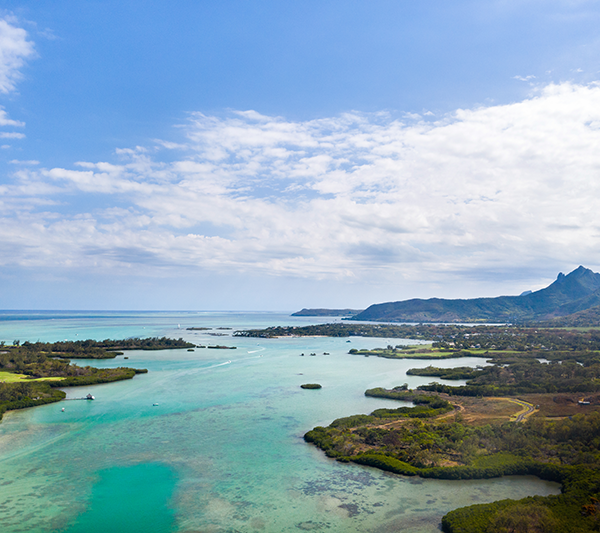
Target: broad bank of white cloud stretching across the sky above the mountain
[(358, 196)]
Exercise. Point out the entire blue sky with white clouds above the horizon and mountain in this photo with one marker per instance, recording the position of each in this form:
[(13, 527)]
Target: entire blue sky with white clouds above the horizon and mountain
[(275, 155)]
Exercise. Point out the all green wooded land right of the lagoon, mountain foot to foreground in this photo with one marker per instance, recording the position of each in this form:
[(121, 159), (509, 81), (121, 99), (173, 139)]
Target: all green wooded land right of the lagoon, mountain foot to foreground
[(423, 441)]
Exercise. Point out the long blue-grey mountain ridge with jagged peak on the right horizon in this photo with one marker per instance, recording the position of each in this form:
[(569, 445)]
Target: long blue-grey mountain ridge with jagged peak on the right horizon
[(577, 291)]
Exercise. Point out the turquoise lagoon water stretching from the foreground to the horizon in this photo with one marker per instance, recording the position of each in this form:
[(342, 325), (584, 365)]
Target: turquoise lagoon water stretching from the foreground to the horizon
[(223, 449)]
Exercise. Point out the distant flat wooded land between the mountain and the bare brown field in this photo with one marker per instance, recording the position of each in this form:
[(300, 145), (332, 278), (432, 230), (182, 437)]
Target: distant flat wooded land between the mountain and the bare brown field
[(573, 356)]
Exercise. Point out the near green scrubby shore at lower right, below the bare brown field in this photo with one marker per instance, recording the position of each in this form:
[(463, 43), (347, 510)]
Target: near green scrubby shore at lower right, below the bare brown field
[(566, 451)]
